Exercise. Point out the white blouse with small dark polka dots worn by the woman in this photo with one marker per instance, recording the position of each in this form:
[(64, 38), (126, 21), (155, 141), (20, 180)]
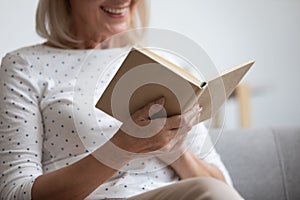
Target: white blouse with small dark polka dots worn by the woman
[(48, 121)]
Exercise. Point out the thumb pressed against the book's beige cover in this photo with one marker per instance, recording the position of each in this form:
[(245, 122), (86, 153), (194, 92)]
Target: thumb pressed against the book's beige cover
[(149, 109)]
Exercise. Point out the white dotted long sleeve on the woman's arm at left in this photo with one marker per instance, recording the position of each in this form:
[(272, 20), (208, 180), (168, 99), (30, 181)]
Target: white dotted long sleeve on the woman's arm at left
[(21, 128)]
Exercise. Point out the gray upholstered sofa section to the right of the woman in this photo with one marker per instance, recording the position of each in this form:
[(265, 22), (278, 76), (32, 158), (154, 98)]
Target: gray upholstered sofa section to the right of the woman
[(263, 163)]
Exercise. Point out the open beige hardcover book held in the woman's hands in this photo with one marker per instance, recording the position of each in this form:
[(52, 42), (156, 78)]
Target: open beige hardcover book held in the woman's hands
[(145, 76)]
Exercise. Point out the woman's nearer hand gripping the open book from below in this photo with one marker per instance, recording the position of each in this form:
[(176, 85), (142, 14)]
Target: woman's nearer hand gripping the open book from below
[(141, 134)]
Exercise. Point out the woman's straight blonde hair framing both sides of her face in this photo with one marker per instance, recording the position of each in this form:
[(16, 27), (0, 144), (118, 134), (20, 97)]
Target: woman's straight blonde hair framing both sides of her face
[(53, 21)]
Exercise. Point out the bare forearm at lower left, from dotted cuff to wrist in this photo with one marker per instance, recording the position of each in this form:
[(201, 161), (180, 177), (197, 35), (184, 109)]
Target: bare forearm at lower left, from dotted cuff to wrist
[(81, 178)]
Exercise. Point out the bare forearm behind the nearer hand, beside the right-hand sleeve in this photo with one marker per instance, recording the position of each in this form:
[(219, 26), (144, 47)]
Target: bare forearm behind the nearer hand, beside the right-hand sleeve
[(189, 165)]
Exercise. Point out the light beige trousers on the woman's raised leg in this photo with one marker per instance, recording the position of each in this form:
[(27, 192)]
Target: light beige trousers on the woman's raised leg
[(192, 189)]
